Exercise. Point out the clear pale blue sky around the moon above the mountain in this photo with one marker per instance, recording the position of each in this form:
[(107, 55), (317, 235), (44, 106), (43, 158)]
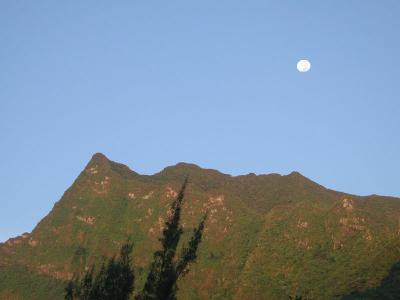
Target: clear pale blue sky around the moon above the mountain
[(153, 83)]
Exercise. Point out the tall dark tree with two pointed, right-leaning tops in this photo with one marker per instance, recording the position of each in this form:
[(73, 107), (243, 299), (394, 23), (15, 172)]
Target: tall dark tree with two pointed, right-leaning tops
[(161, 283)]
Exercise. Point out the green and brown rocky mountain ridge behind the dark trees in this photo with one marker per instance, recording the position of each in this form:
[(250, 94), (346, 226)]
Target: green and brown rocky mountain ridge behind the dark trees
[(267, 236)]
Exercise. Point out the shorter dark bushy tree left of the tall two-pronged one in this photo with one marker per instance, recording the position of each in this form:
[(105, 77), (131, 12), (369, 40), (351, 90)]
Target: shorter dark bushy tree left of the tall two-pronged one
[(114, 281)]
